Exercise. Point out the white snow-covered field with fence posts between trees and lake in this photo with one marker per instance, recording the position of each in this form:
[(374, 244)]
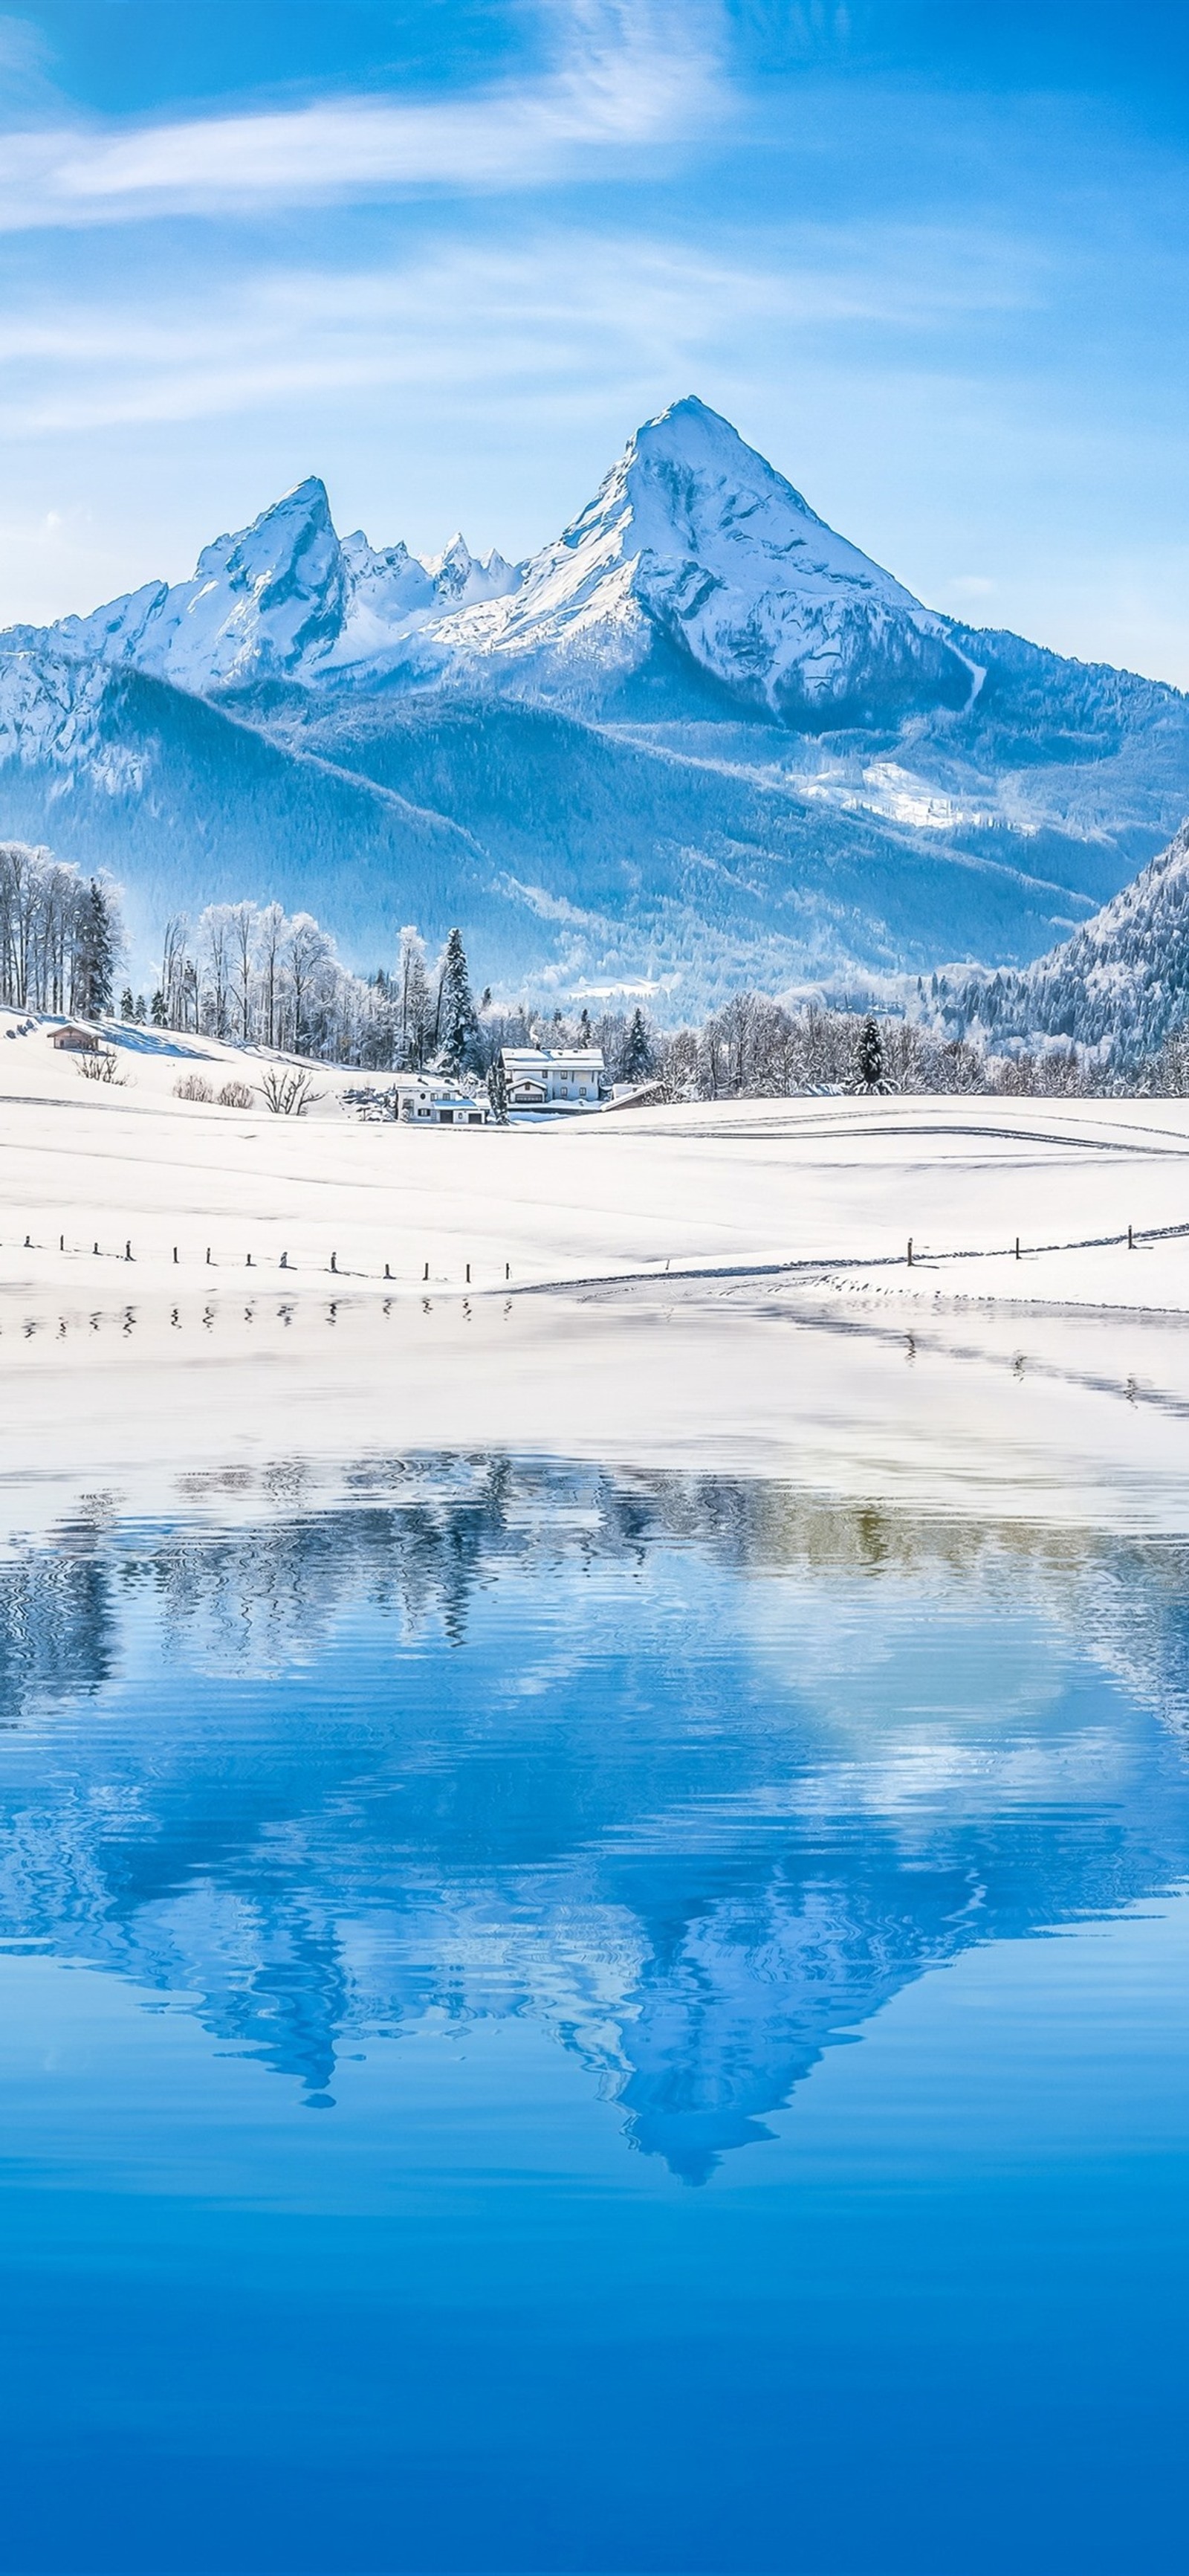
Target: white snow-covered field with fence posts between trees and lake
[(706, 1287)]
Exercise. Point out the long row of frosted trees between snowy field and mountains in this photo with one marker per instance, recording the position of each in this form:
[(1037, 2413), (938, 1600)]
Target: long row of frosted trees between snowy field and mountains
[(261, 978)]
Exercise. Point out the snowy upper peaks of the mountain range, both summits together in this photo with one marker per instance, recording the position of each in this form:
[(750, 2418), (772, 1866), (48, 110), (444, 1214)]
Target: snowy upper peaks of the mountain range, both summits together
[(696, 563)]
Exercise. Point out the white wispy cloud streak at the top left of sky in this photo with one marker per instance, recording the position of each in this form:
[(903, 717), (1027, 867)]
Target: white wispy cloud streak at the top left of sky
[(627, 73)]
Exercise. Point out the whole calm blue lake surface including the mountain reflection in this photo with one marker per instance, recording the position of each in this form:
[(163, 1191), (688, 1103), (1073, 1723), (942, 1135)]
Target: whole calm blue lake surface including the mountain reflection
[(591, 2023)]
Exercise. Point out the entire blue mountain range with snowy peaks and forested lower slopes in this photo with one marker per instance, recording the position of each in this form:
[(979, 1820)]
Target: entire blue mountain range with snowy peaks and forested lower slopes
[(699, 741)]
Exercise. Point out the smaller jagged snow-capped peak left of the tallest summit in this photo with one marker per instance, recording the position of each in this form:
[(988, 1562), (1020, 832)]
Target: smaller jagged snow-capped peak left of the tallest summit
[(282, 601)]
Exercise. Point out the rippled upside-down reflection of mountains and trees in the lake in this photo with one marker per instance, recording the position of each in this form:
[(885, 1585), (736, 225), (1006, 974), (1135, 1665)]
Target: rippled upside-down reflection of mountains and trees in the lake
[(699, 1774)]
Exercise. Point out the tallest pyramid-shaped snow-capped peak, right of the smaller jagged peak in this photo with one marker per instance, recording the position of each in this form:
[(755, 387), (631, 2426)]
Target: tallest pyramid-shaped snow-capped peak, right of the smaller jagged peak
[(699, 550)]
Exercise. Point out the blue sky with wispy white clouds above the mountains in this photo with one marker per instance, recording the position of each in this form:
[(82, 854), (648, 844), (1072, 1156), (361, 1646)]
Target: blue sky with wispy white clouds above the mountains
[(447, 254)]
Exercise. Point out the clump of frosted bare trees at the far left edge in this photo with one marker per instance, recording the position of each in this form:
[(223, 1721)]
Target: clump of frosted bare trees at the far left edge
[(60, 934)]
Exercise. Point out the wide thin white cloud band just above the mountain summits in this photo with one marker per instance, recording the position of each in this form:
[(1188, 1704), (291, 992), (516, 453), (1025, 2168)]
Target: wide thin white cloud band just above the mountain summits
[(534, 316)]
